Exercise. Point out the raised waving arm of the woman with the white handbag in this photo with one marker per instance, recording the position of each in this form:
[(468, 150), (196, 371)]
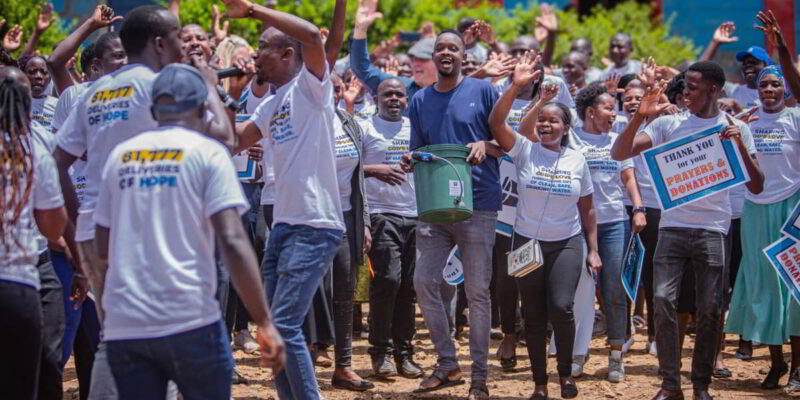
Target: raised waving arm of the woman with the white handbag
[(524, 73)]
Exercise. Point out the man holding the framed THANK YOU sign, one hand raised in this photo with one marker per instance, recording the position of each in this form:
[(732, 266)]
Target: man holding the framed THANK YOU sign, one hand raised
[(692, 237)]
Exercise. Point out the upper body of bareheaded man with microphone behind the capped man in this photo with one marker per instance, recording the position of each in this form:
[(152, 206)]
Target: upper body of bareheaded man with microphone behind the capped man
[(117, 107)]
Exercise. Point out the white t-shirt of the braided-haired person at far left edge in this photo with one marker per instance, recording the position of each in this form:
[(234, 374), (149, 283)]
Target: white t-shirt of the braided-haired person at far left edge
[(18, 262)]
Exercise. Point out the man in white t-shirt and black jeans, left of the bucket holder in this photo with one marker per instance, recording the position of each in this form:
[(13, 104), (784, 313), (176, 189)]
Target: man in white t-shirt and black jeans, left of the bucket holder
[(393, 214)]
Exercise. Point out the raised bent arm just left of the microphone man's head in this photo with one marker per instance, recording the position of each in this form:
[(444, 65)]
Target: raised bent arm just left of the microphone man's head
[(57, 62)]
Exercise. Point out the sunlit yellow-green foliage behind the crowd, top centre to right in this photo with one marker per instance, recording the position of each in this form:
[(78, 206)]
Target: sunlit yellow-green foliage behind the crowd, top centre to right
[(408, 15)]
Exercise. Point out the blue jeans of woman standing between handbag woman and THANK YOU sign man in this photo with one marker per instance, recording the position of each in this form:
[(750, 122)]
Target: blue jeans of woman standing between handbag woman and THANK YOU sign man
[(611, 246)]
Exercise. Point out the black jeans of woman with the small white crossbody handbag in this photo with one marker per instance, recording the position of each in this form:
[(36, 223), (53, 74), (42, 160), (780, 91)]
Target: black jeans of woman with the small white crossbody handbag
[(548, 293)]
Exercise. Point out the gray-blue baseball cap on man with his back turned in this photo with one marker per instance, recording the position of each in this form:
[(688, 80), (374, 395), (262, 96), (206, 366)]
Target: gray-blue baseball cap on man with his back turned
[(184, 84)]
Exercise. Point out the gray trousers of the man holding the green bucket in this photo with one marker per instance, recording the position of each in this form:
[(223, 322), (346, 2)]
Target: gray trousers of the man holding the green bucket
[(475, 240)]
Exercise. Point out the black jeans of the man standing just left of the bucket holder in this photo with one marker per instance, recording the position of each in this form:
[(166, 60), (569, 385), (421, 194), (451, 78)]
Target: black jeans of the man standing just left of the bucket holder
[(391, 291)]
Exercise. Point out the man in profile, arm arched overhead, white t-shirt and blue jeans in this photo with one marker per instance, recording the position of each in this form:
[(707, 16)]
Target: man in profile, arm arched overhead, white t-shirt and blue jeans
[(297, 122)]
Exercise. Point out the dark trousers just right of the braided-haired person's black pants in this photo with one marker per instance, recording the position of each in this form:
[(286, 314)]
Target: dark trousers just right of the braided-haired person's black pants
[(50, 372)]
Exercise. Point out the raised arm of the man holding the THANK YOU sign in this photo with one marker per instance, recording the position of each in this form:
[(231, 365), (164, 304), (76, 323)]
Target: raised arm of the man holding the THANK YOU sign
[(629, 144)]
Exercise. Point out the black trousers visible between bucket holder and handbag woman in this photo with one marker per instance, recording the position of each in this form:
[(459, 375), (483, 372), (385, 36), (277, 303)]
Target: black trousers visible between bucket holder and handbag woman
[(506, 290)]
